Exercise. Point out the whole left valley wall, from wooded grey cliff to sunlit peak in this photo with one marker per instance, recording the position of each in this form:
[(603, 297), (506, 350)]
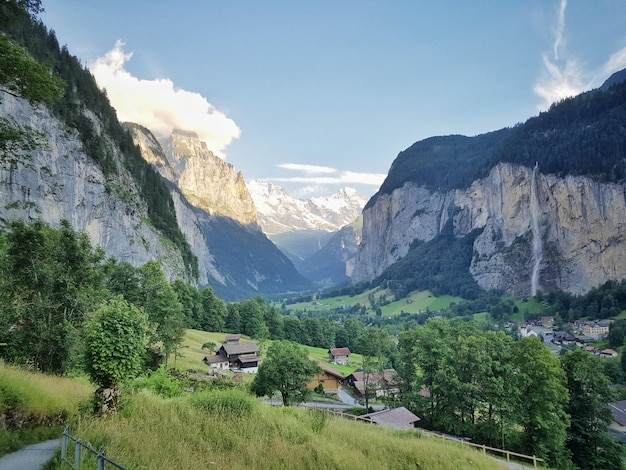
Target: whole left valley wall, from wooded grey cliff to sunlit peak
[(92, 174)]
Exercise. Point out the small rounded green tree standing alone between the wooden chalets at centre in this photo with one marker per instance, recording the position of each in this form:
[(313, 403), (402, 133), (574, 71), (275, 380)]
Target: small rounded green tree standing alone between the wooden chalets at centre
[(285, 369)]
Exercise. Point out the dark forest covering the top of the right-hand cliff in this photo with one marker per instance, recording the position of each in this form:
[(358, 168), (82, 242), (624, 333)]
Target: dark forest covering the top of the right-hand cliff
[(582, 135)]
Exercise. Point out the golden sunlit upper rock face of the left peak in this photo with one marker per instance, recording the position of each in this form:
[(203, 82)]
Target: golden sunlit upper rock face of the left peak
[(207, 181)]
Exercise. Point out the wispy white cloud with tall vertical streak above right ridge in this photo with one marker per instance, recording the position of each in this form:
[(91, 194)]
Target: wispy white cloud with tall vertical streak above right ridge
[(562, 76)]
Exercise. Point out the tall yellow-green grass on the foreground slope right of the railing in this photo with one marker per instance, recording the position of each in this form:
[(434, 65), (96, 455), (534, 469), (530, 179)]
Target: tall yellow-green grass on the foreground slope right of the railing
[(230, 429)]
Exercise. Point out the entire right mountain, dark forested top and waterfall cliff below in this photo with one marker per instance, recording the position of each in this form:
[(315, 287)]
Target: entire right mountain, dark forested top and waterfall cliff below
[(544, 202)]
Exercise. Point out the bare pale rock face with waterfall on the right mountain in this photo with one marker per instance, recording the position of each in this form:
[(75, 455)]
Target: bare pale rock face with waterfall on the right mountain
[(580, 222)]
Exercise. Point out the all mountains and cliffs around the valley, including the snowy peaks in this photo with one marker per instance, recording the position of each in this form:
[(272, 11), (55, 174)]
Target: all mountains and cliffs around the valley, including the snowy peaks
[(540, 206)]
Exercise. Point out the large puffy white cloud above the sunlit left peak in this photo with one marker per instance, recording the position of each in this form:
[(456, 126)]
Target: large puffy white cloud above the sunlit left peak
[(159, 105)]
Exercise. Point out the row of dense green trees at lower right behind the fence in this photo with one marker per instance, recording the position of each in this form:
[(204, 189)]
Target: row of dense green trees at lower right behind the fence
[(508, 394)]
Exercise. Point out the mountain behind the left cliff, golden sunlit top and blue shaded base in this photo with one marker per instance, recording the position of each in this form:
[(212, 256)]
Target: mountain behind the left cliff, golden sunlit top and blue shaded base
[(234, 256)]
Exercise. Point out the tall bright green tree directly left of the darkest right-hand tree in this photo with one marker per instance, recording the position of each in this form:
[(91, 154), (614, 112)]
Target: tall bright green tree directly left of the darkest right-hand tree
[(543, 396)]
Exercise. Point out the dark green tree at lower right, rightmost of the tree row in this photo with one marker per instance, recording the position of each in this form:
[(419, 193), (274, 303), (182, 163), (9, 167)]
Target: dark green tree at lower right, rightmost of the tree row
[(589, 392)]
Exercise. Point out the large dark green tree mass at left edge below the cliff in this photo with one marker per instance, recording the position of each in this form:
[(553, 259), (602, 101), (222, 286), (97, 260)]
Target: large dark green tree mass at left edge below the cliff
[(50, 279)]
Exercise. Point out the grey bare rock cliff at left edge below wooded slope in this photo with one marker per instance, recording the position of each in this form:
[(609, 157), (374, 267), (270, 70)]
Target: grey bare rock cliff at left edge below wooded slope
[(62, 182)]
